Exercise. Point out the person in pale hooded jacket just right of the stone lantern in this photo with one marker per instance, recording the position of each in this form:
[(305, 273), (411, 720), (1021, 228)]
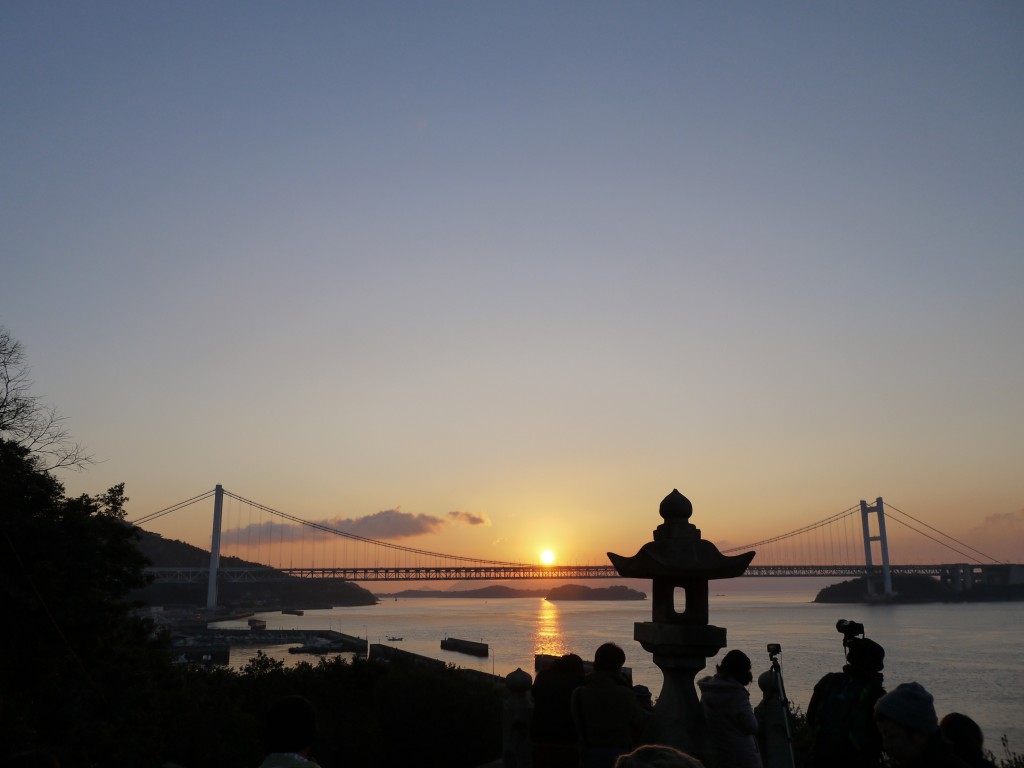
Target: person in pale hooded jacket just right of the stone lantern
[(727, 704)]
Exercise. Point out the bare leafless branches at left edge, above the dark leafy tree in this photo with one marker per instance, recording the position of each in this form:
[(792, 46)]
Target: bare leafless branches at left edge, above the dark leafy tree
[(28, 422)]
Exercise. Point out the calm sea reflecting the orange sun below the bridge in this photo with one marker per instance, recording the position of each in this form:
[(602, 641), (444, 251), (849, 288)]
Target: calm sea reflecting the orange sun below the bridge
[(970, 657)]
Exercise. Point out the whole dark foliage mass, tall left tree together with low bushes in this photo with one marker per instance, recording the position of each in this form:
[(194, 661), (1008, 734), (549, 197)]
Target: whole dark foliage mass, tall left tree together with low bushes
[(98, 687)]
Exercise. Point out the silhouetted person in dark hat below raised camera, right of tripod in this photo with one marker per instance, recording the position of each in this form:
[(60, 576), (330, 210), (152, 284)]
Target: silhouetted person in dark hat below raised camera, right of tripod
[(841, 714)]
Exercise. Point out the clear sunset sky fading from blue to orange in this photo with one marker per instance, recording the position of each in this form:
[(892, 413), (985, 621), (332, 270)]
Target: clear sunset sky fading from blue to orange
[(491, 278)]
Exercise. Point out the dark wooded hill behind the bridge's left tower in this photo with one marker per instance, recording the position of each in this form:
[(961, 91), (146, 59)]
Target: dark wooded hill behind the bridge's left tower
[(290, 592)]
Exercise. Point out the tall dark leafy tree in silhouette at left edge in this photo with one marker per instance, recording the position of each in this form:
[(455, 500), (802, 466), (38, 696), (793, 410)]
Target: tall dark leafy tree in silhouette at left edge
[(82, 671)]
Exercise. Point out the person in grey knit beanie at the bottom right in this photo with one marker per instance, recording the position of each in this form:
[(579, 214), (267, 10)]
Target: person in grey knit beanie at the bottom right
[(910, 730)]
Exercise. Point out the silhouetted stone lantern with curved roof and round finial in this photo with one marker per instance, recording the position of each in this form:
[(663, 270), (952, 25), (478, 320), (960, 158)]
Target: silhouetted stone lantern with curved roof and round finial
[(680, 643)]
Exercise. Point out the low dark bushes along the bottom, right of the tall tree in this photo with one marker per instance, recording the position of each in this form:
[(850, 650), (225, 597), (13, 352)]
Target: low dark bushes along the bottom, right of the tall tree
[(443, 716)]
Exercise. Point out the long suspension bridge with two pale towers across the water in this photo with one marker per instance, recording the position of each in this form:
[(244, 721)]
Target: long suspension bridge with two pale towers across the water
[(268, 543)]
